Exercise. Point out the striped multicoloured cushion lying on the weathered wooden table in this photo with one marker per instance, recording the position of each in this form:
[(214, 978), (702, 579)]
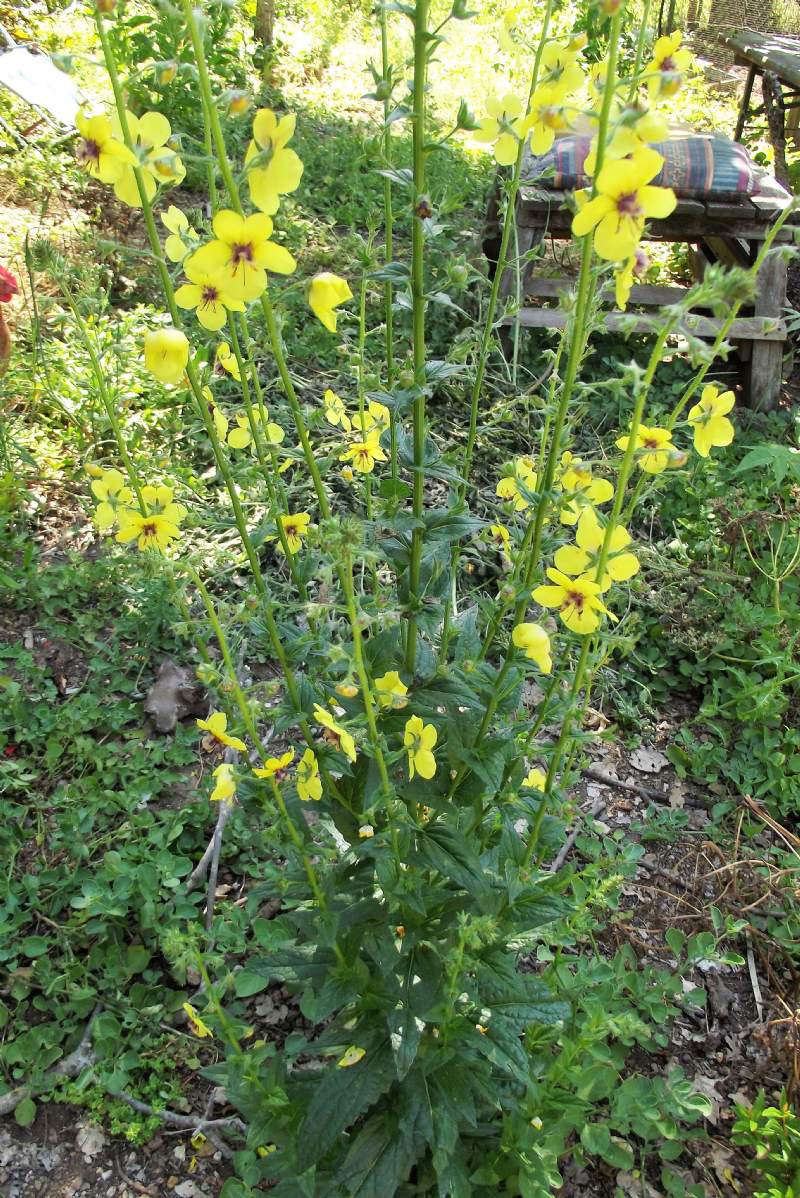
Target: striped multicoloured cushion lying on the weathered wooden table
[(702, 166)]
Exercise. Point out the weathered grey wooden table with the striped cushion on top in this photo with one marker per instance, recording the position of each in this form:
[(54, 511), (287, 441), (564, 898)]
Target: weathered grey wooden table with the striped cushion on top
[(730, 233)]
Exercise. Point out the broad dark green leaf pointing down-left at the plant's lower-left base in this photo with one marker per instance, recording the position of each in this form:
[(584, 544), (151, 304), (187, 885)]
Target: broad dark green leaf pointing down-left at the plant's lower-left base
[(342, 1098)]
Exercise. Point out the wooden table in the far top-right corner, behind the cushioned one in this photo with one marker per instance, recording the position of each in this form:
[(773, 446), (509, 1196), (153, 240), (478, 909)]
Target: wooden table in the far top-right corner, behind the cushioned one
[(778, 60)]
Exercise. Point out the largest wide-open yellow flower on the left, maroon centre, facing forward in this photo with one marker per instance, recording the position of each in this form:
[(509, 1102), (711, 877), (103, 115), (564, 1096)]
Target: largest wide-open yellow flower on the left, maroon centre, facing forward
[(243, 253)]
